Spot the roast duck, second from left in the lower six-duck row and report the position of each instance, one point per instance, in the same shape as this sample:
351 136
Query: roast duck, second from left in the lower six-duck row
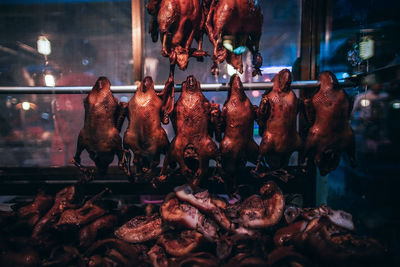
144 135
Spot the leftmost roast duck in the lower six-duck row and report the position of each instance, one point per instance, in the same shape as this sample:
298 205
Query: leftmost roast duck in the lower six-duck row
100 133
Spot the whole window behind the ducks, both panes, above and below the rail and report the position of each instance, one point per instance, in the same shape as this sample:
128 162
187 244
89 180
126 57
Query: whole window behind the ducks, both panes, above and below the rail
81 40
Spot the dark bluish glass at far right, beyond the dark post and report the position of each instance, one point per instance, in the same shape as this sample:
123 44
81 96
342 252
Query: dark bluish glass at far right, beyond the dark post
364 45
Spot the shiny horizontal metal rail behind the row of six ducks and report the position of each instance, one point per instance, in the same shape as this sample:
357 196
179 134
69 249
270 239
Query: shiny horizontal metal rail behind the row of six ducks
207 87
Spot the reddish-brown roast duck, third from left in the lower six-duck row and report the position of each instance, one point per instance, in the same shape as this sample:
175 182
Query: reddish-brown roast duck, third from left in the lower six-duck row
192 146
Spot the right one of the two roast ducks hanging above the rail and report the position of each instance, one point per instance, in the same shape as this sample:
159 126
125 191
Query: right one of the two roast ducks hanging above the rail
233 26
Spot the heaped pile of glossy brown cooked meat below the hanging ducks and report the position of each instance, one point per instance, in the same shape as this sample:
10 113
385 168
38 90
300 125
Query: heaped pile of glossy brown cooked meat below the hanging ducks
190 228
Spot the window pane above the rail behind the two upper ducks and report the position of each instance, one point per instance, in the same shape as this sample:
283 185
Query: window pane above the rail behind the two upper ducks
279 47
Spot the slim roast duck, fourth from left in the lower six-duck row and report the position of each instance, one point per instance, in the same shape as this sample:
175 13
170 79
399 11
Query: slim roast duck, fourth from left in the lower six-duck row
237 146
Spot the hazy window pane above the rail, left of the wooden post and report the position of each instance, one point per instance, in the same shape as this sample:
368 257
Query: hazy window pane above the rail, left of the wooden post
81 40
